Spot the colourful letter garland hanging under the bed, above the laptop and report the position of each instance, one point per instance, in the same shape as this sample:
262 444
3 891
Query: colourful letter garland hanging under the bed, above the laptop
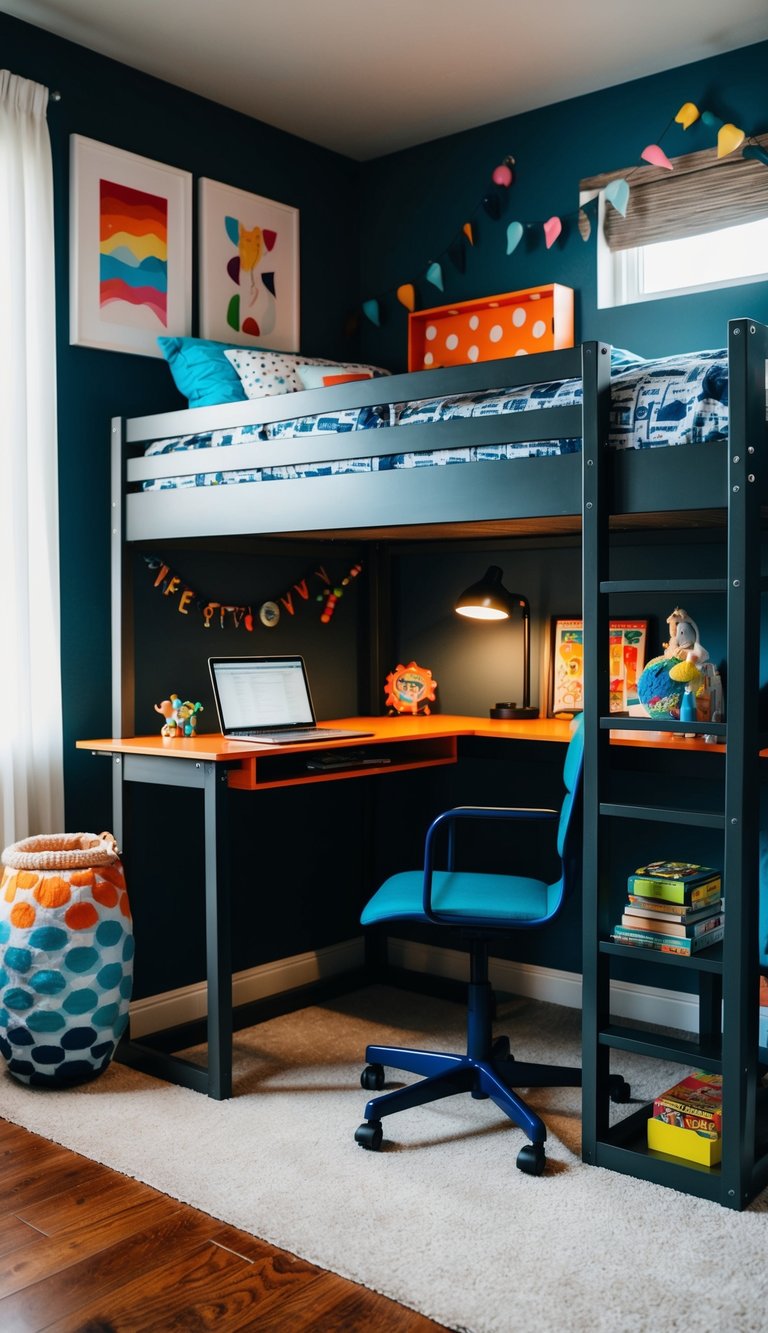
226 615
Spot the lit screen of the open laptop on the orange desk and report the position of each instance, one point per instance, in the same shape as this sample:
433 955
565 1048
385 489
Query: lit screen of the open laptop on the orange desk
262 692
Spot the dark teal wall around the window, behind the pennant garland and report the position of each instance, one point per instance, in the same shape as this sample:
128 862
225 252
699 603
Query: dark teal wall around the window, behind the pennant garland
415 202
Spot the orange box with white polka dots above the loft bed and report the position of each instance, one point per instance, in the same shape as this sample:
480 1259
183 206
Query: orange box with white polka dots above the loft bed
538 319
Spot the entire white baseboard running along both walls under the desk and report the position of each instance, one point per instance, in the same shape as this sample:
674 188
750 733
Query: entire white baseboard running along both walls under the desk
649 1004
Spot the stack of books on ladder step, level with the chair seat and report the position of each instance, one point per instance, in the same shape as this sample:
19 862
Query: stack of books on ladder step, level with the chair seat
674 907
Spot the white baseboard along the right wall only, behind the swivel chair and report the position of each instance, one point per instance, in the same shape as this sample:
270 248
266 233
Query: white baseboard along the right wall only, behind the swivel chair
646 1004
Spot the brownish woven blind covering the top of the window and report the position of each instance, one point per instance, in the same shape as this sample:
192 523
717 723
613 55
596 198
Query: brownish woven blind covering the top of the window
703 194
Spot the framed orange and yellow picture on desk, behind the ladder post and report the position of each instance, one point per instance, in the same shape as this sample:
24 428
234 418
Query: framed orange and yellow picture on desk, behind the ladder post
627 643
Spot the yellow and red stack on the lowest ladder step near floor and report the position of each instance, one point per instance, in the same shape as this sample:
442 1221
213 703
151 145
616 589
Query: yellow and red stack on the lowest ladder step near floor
689 1119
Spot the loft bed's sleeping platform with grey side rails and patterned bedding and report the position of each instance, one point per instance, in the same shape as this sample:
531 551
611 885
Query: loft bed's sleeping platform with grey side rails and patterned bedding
378 458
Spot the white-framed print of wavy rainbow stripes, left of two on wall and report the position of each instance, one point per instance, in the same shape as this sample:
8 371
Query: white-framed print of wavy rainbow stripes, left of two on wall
130 250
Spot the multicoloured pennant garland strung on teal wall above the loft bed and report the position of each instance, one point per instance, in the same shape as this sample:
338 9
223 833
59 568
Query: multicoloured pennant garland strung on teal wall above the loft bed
617 194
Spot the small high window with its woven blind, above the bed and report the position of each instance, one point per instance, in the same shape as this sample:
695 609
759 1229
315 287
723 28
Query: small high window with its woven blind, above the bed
699 227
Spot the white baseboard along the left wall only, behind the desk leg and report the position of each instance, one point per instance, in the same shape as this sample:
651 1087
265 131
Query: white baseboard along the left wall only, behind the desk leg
187 1004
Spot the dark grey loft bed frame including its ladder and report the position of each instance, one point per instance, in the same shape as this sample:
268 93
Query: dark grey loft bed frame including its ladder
590 493
